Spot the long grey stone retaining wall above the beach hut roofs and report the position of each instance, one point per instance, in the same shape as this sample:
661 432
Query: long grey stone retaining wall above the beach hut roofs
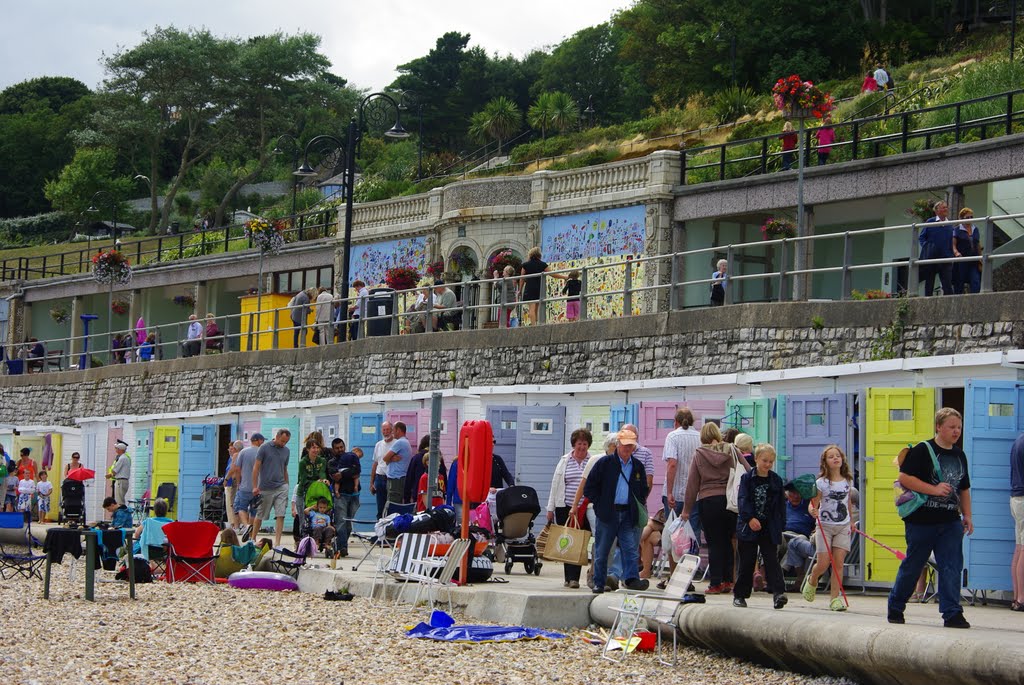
686 344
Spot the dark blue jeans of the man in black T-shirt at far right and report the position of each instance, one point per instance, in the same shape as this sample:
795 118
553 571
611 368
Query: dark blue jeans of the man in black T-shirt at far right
947 541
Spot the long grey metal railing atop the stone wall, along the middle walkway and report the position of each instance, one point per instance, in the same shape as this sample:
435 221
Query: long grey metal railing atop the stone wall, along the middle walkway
645 285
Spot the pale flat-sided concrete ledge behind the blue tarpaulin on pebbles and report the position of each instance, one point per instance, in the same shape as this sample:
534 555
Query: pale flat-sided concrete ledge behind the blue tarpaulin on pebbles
504 604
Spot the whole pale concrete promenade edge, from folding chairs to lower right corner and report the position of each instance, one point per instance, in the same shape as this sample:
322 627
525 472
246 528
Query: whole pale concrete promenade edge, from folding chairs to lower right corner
806 638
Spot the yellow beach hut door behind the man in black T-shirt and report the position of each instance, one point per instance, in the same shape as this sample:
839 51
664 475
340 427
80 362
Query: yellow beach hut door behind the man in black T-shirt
897 417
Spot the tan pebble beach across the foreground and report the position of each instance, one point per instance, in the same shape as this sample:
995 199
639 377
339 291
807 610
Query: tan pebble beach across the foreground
201 635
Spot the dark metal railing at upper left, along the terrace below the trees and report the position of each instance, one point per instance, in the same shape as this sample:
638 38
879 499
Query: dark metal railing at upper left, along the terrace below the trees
172 247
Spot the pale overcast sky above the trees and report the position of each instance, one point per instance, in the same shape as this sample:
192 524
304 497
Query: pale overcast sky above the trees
69 37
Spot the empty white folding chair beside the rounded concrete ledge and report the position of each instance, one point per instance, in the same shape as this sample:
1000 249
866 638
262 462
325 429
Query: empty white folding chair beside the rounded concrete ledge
656 608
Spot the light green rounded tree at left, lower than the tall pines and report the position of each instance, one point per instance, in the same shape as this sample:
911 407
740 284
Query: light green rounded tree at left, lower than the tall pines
92 170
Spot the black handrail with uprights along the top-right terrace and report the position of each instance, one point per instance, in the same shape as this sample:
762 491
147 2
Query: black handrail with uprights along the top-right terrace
860 145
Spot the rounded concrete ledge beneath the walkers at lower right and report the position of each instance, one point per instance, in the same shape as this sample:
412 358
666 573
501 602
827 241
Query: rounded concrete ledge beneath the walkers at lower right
808 638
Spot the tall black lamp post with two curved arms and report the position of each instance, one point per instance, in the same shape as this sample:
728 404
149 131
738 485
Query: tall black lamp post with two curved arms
357 125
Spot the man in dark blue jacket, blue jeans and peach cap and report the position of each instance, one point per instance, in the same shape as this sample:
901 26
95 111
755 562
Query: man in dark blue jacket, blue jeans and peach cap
618 487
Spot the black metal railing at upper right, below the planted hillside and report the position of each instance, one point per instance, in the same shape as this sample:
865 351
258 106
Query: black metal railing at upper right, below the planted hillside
859 139
